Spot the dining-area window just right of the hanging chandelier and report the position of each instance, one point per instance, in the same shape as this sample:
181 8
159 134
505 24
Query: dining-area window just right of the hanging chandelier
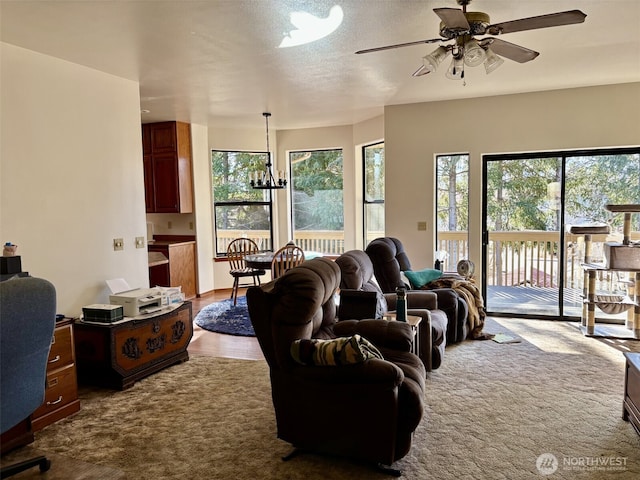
317 200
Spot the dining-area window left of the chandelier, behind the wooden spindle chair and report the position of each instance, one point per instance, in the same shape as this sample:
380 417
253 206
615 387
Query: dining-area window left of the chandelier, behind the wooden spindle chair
239 210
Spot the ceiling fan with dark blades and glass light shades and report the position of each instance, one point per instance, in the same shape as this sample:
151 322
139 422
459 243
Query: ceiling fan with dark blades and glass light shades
461 27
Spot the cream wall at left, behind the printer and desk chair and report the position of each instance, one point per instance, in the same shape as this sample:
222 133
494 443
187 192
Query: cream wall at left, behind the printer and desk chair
71 175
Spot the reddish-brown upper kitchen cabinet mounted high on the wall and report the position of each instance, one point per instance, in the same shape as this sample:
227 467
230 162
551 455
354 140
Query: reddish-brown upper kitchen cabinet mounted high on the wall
166 148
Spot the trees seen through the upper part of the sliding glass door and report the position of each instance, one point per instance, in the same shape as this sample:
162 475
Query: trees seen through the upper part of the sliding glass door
524 194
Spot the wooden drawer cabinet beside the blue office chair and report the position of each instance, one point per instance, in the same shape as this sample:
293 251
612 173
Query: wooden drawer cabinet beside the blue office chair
61 393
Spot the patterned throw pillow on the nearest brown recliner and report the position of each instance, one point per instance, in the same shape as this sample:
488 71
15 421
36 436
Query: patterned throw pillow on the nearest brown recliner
335 352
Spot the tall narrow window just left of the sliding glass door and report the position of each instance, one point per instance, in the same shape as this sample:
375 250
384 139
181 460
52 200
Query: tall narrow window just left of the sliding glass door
452 203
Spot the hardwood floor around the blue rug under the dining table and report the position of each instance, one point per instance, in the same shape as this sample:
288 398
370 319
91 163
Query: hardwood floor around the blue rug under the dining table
219 345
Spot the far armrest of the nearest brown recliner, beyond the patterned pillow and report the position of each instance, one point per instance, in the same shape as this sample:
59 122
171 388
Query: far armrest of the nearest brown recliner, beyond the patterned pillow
382 333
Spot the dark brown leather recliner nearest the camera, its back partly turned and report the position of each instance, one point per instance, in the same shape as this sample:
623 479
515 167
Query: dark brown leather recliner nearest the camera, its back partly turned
366 411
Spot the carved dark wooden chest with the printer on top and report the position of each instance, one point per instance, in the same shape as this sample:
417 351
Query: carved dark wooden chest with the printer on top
117 355
